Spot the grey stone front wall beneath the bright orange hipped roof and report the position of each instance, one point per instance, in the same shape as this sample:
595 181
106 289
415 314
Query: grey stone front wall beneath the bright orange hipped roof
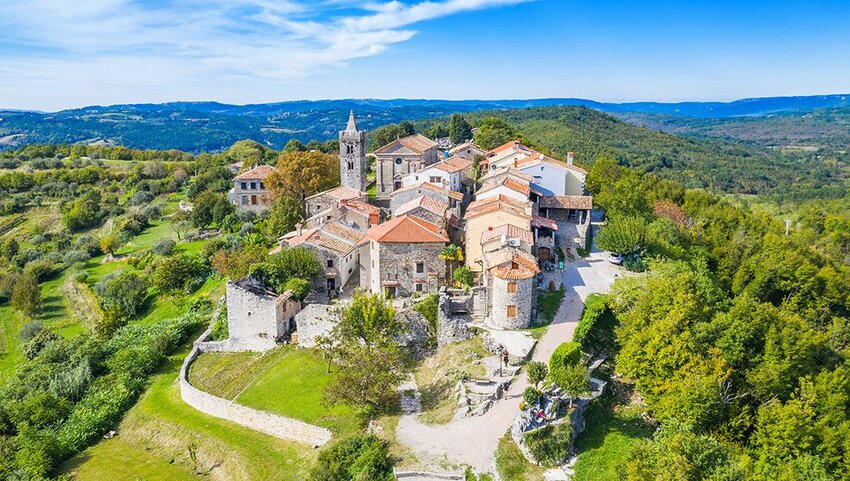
397 263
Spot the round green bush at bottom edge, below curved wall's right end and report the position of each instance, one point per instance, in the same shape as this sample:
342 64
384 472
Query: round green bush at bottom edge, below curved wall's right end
359 458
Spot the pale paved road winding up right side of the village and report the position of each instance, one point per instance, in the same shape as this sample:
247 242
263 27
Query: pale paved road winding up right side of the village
473 441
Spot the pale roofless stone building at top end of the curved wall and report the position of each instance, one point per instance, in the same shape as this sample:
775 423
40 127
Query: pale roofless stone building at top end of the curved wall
257 315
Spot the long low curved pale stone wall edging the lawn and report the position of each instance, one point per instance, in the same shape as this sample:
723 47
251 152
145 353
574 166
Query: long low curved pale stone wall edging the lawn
262 421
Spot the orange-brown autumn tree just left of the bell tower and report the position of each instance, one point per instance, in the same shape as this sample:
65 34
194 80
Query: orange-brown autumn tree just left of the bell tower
301 174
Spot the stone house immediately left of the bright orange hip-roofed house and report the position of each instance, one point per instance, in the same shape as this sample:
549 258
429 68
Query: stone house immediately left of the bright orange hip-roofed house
335 246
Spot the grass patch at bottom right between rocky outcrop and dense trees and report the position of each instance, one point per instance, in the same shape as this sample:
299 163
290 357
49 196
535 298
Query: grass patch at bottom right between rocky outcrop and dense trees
612 431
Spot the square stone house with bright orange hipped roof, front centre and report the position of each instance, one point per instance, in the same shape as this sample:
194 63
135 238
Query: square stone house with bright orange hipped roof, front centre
401 257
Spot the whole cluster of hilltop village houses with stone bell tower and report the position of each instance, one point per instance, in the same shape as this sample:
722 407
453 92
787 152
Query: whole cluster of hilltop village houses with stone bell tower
514 216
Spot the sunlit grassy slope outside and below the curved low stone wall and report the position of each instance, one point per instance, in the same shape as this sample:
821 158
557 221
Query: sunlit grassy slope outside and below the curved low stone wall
163 438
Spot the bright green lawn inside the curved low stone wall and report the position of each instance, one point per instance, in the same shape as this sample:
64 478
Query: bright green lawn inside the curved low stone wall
292 386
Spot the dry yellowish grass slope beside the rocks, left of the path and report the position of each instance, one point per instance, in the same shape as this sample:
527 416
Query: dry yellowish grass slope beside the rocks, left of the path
438 374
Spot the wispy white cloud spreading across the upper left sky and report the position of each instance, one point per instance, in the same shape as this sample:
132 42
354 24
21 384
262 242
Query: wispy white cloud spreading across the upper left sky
49 42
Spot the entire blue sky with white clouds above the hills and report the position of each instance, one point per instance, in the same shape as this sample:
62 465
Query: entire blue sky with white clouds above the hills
58 54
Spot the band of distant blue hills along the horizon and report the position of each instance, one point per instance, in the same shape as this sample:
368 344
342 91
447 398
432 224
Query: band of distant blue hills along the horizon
212 126
